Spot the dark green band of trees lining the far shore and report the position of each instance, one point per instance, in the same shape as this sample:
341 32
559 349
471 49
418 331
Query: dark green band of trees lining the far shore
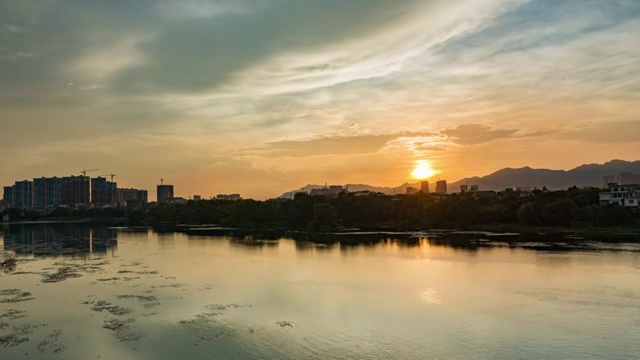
541 211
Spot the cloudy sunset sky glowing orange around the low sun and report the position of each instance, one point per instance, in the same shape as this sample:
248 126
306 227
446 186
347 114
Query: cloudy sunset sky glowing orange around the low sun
259 97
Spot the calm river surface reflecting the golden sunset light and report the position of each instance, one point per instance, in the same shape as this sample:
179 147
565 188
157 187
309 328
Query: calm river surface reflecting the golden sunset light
83 293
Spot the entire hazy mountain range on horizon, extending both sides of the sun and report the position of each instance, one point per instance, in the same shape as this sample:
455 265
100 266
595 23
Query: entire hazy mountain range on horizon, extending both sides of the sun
583 175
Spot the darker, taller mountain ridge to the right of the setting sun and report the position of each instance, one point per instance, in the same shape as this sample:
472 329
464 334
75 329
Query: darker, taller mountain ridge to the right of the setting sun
584 175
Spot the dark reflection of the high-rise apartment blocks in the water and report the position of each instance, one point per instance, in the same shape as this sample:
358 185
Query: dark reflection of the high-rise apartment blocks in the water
60 239
